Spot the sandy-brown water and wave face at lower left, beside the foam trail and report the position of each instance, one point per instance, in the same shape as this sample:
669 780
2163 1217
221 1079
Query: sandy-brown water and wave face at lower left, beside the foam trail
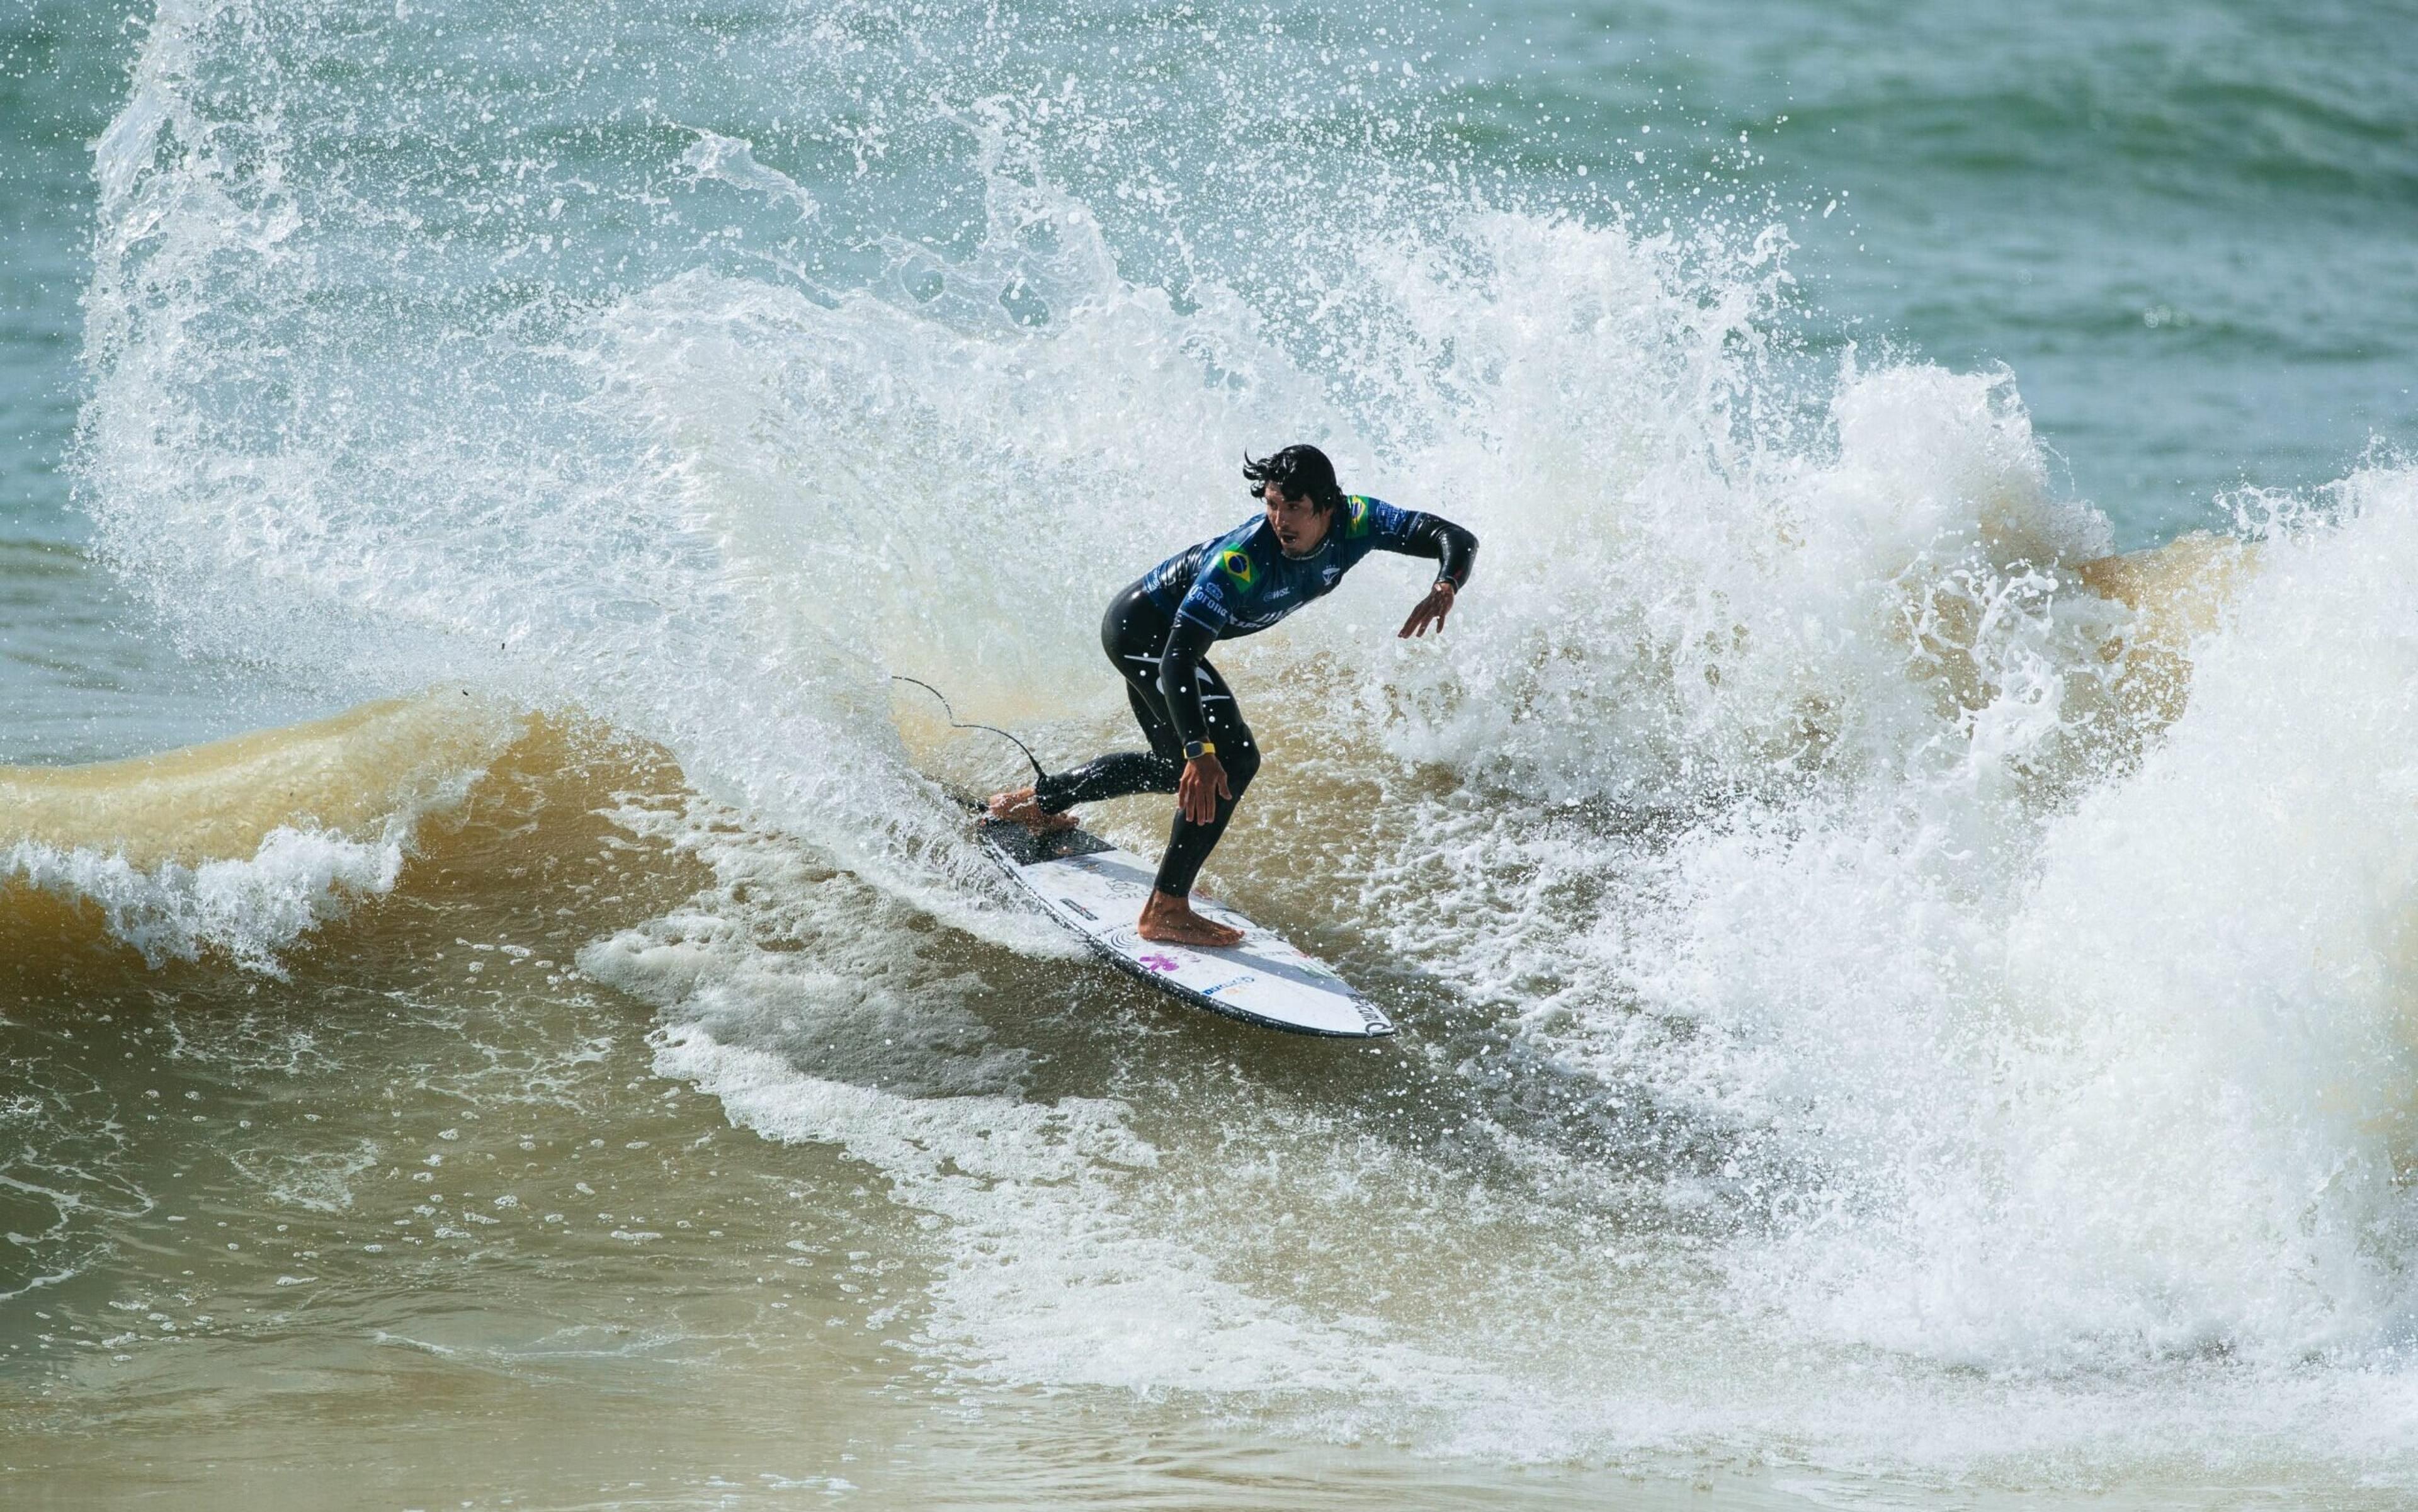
417 1223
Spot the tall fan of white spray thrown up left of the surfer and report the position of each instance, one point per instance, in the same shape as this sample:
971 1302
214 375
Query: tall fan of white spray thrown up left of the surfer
712 514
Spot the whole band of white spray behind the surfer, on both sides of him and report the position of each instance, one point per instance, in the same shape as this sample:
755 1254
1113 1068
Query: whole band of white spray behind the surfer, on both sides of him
722 509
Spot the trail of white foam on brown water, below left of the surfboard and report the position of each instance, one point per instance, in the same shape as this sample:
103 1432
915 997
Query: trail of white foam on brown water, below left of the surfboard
799 1000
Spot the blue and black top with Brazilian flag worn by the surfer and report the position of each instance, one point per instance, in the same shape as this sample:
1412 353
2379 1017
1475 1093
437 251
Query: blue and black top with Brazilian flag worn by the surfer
1242 582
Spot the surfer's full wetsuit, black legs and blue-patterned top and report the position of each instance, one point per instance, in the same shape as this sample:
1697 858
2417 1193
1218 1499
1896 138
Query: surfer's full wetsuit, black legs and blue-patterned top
1159 628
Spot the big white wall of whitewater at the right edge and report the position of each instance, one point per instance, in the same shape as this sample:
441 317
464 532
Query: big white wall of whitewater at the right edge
2124 1080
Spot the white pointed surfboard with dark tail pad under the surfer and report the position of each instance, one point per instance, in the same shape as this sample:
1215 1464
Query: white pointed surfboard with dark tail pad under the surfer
1097 891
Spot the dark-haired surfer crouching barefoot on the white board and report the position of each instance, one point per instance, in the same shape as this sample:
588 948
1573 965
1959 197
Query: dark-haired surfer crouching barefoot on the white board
1159 628
